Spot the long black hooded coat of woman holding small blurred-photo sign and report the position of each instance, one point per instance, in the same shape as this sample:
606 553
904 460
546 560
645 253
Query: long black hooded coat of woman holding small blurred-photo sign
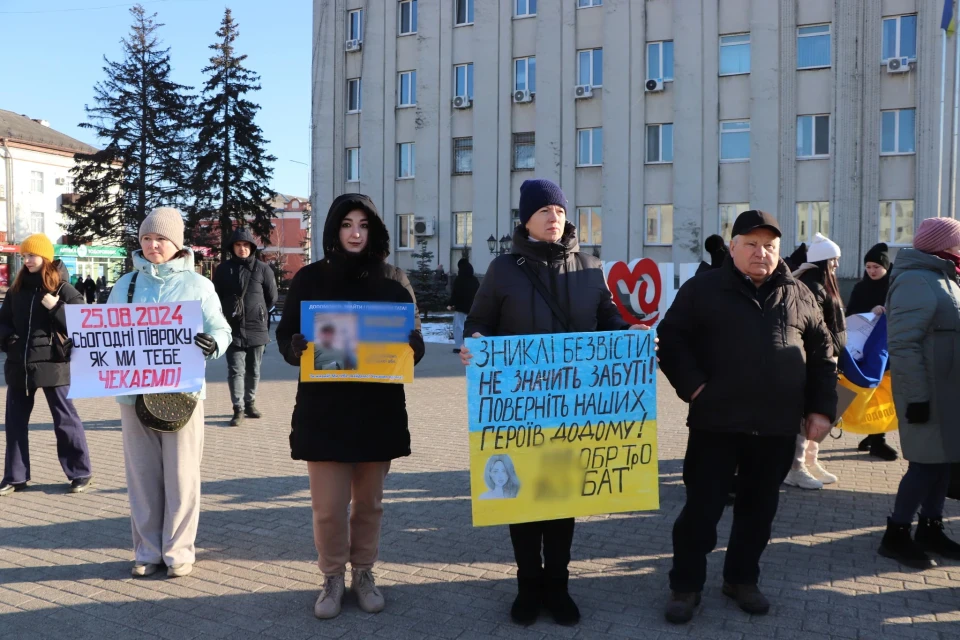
348 421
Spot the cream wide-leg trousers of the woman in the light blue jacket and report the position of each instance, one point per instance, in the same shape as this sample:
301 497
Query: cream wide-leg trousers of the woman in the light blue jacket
163 484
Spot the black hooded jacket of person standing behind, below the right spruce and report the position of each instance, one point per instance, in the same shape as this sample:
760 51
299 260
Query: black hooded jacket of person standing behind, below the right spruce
252 329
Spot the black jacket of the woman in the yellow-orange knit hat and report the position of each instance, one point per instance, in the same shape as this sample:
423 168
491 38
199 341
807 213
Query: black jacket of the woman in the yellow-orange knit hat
26 334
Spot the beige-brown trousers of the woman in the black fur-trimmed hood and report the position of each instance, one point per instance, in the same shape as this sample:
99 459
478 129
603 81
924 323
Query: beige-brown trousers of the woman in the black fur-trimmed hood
335 487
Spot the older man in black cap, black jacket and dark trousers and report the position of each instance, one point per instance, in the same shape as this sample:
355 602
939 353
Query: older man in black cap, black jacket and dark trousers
747 347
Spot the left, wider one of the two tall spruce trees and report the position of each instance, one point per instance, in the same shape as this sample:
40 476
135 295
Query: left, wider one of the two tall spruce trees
144 120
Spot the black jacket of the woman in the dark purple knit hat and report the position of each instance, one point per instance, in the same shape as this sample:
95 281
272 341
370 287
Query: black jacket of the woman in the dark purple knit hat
508 304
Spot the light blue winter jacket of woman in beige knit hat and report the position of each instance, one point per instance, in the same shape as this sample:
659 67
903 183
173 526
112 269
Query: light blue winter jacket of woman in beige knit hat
175 281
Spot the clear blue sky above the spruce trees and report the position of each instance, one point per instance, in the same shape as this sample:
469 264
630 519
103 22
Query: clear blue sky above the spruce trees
54 53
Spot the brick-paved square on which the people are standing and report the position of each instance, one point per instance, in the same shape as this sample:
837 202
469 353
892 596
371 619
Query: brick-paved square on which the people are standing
65 559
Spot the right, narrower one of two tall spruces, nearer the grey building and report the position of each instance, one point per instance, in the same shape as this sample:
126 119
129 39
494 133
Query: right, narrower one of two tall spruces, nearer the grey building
232 172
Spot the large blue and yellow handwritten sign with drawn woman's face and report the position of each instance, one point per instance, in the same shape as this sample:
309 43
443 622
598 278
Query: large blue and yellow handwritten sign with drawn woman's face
562 425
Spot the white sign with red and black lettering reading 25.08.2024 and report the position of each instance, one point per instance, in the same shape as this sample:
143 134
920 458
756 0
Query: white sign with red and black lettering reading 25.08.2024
128 349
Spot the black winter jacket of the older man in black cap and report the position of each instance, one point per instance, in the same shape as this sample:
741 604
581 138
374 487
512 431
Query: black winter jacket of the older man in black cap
764 354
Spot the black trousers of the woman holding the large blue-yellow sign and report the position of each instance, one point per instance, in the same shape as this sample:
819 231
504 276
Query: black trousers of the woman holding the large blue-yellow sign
554 538
